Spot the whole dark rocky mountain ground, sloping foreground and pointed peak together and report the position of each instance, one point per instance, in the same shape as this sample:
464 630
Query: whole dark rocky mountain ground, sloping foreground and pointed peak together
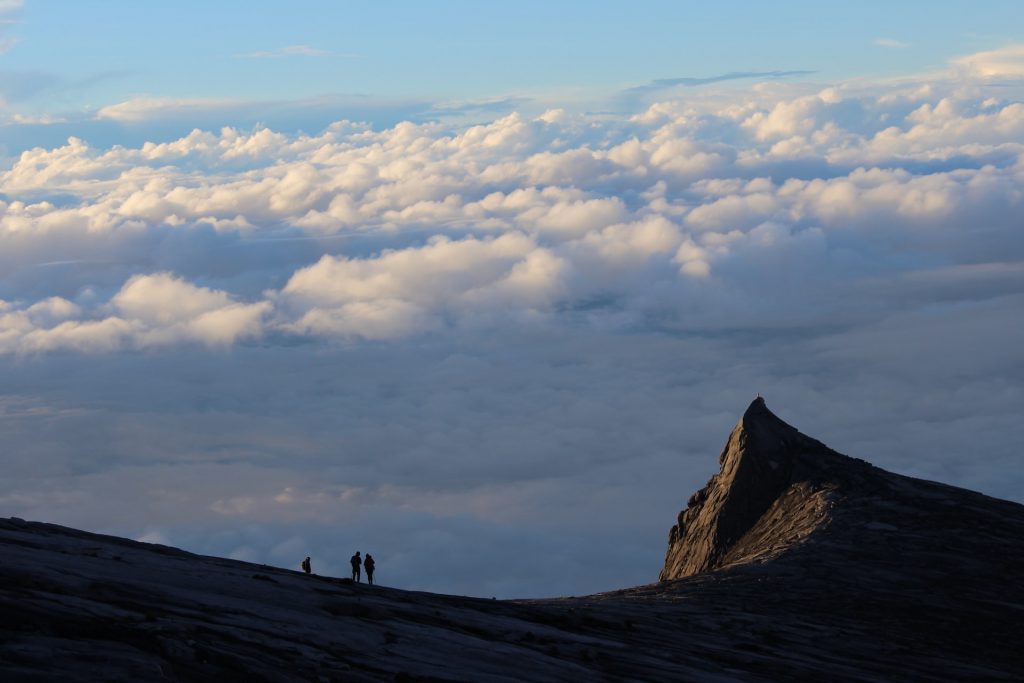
794 564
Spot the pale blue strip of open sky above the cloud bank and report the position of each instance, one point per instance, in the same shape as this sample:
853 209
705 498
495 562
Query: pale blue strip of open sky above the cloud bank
88 56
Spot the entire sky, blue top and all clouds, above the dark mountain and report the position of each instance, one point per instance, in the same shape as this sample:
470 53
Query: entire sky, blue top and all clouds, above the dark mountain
482 288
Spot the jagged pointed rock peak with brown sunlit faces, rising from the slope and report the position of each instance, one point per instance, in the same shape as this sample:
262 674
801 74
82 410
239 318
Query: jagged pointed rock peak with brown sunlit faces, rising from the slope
773 491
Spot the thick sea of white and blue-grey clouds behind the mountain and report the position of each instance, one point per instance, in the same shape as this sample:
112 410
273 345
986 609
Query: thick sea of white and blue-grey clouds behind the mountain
501 357
